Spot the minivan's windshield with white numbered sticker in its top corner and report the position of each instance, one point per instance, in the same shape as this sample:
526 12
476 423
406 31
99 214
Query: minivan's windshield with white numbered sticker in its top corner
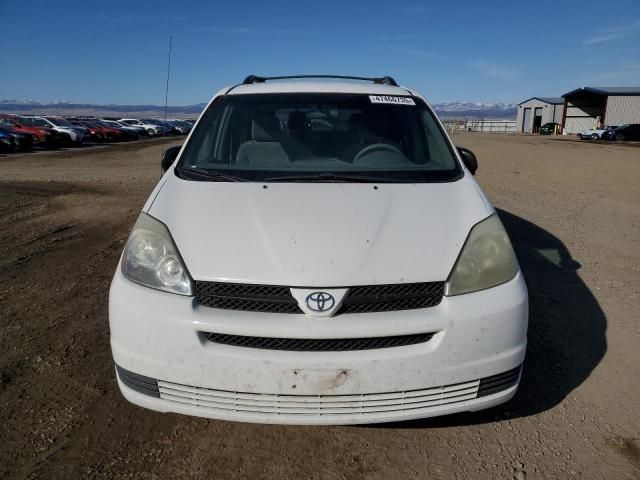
263 137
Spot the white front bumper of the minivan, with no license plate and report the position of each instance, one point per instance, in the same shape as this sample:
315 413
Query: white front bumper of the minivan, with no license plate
479 339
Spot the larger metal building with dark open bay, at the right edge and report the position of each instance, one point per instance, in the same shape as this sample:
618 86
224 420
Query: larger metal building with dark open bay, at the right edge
590 107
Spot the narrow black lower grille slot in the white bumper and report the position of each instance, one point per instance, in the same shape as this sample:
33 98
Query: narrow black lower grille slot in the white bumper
318 345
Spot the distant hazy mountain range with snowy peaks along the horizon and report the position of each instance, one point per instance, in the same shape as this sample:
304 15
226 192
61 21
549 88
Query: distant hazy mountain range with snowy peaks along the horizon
449 110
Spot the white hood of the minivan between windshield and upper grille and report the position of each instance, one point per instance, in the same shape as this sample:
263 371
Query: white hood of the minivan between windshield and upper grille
319 234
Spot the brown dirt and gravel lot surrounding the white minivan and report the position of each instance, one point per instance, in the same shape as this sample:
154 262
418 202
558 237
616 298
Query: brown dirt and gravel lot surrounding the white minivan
572 210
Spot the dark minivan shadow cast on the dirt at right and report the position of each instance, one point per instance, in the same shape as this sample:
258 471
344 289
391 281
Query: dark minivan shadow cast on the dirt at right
566 337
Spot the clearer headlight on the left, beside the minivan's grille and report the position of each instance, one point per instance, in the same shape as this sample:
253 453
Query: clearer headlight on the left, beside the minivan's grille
151 258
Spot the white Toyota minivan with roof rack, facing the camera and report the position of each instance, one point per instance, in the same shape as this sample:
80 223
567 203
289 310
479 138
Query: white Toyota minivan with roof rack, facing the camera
318 252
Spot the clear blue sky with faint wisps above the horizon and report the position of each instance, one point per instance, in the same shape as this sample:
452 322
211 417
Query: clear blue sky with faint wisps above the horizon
116 51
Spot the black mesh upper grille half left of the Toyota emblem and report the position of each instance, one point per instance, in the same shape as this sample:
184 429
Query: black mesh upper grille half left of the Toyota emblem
246 297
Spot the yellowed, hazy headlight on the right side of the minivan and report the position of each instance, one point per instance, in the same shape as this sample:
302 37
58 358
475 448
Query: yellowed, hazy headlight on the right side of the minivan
486 259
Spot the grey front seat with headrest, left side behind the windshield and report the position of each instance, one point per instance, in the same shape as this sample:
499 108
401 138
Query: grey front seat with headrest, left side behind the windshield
264 149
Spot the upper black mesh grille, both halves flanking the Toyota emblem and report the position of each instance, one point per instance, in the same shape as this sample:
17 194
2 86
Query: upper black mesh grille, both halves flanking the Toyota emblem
278 299
